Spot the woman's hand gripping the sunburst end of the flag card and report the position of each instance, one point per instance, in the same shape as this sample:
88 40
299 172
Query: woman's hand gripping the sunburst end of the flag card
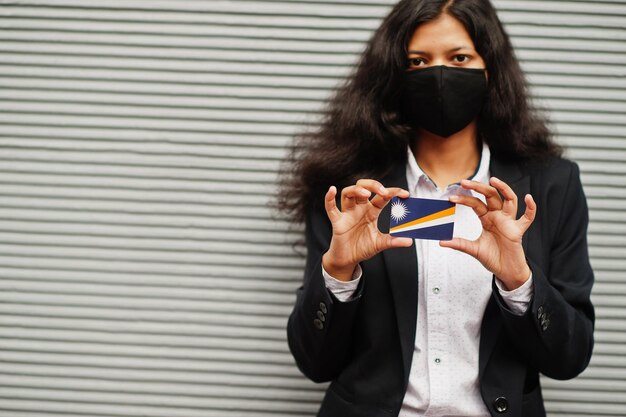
355 227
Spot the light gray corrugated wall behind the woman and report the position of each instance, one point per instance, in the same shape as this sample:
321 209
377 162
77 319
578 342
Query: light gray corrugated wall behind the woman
140 271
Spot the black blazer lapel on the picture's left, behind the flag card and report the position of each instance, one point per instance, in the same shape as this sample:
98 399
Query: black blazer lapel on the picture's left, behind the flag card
401 267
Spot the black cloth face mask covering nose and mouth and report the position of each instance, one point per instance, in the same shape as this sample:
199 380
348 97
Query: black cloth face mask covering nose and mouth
443 100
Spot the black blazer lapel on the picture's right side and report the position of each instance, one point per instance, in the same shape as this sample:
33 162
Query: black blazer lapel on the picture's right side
511 174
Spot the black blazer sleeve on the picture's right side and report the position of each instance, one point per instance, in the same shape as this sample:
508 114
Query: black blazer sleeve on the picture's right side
556 332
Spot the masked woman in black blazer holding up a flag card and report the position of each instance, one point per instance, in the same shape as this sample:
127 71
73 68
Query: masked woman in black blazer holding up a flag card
437 108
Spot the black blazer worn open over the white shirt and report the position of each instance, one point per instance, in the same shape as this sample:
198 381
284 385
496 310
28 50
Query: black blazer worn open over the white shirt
365 346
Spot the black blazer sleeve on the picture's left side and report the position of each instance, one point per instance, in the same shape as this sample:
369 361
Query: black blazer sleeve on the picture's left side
319 327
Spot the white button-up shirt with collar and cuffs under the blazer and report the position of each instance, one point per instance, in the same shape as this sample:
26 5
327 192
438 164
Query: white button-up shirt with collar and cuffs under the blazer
453 292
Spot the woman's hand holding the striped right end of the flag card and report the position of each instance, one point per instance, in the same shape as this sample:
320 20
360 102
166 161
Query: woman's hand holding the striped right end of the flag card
499 247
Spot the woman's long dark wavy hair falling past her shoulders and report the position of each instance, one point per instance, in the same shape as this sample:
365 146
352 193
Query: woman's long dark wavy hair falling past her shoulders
363 134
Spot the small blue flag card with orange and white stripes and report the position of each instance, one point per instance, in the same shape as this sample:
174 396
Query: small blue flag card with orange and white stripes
422 218
